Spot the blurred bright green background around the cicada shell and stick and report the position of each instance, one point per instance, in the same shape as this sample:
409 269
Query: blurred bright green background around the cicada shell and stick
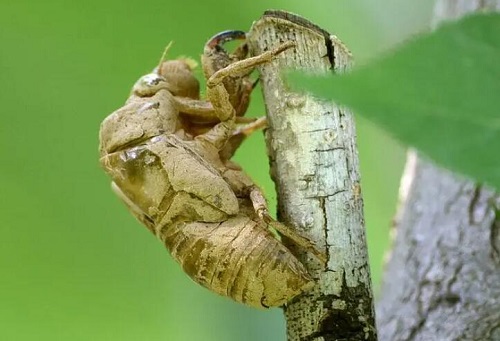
74 263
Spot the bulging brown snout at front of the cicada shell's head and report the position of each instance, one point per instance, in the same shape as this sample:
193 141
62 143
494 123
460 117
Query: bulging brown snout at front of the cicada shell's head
180 78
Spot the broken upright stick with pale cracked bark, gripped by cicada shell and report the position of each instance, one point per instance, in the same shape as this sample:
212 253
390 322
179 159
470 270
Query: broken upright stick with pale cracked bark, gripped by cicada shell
314 163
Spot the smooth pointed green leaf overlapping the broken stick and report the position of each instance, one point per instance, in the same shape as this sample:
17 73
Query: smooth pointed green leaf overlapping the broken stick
439 92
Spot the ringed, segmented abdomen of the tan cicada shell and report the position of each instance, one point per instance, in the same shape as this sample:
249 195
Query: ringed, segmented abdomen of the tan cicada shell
238 258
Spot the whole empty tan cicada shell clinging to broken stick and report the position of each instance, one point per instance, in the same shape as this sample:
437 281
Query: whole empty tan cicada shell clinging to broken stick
178 181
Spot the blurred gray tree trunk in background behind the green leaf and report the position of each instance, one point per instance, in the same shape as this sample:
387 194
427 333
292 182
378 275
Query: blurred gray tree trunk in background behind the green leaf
442 281
